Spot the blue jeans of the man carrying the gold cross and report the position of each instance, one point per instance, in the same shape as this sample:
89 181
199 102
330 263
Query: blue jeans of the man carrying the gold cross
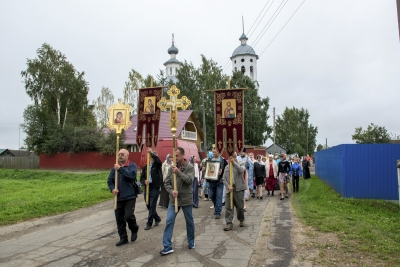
170 222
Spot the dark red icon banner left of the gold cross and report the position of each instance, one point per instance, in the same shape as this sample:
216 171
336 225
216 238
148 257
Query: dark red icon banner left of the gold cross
148 116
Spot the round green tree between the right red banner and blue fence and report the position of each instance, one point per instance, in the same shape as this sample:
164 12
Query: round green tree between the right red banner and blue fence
291 129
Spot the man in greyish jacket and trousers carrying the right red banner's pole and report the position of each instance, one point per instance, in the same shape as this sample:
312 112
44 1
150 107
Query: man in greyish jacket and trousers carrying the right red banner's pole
238 189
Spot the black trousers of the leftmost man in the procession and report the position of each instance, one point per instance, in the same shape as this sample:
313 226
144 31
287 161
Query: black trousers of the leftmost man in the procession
125 214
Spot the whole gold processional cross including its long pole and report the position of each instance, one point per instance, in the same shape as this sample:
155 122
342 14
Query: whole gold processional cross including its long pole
173 104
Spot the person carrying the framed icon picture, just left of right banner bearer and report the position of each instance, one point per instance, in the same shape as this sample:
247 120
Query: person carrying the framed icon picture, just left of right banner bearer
216 188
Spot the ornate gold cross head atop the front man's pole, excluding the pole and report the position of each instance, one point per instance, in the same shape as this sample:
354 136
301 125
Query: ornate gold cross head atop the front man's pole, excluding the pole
173 104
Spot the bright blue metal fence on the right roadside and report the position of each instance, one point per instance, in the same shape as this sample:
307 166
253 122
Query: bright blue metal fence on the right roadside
360 171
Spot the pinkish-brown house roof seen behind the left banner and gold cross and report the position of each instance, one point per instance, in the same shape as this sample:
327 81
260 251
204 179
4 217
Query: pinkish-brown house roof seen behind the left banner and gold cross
164 130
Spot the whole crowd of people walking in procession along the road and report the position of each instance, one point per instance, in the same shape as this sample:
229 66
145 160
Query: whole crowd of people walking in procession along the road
250 176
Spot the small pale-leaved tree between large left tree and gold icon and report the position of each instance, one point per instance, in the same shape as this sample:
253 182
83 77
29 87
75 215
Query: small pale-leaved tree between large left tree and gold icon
101 105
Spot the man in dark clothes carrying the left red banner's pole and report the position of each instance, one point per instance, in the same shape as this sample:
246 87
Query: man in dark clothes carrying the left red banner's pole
154 184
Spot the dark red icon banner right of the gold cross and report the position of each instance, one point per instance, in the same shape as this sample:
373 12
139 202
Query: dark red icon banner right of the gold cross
229 127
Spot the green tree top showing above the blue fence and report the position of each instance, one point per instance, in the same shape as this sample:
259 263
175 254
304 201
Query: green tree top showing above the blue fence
374 134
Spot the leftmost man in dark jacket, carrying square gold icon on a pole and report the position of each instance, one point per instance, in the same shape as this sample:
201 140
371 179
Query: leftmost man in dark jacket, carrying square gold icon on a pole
126 196
